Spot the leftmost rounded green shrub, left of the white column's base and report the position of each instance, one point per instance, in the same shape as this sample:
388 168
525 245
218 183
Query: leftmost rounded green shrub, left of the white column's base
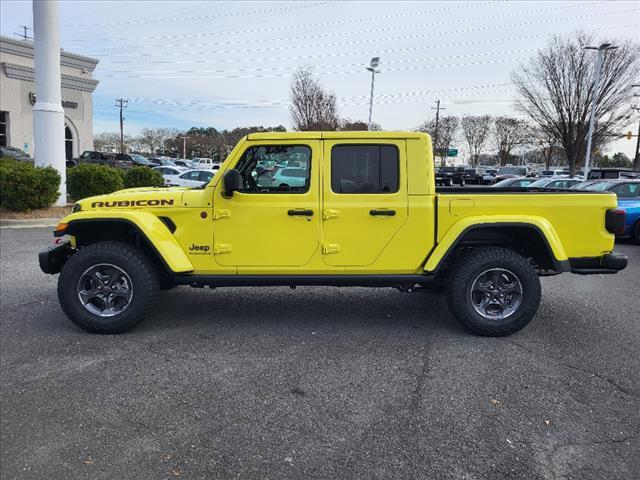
25 187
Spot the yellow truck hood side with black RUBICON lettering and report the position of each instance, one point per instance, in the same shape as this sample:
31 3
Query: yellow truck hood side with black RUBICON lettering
142 197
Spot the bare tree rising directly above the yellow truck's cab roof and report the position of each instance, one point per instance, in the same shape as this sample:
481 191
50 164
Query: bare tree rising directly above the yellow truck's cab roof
312 108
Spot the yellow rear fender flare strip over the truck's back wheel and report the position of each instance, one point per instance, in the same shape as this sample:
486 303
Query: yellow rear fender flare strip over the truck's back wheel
458 229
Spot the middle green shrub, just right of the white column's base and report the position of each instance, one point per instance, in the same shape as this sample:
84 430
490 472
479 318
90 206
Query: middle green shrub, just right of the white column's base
87 180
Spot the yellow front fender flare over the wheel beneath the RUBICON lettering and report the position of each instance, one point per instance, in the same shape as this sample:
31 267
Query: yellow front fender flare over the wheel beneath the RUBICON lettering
148 225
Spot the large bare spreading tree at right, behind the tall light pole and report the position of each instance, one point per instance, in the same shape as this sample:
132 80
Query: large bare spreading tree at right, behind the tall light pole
556 92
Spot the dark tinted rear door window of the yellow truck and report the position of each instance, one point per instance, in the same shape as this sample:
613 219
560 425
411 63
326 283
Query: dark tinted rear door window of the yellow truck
365 169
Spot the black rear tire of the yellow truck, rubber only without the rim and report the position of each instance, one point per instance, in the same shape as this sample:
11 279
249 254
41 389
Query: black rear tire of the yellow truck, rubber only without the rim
465 271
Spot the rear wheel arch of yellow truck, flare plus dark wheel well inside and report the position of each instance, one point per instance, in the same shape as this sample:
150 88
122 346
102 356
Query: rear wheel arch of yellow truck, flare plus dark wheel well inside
532 239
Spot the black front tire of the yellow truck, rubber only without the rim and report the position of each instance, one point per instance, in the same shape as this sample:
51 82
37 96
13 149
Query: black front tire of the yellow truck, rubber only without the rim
138 267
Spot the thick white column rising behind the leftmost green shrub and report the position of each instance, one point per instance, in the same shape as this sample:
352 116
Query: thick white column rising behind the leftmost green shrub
48 114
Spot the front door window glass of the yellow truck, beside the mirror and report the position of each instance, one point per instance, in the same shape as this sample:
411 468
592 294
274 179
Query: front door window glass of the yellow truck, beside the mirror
275 168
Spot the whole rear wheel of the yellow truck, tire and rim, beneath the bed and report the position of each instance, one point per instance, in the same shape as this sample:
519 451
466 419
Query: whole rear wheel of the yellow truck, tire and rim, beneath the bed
493 291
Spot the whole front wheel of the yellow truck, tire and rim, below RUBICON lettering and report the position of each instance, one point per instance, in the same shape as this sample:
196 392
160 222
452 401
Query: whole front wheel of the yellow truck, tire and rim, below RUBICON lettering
107 287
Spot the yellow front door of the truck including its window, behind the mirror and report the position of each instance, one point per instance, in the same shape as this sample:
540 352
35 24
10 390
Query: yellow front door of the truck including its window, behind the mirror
274 220
